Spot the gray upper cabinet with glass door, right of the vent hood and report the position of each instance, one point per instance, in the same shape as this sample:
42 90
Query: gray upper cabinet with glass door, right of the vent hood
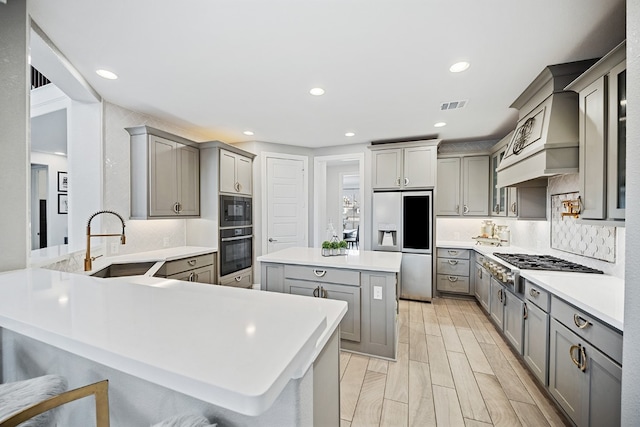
602 129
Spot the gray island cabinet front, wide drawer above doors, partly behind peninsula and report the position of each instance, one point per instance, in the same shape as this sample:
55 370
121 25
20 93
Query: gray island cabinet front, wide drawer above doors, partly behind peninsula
350 325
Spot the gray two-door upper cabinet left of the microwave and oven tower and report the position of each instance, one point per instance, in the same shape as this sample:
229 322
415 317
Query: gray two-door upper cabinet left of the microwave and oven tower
165 175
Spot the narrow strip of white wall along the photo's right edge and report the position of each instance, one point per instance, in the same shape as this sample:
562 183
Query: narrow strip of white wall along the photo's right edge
631 355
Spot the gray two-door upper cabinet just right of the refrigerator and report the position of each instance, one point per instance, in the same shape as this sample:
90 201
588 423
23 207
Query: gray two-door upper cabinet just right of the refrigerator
463 186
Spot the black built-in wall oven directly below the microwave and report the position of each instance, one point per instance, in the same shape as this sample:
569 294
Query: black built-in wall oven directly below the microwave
236 249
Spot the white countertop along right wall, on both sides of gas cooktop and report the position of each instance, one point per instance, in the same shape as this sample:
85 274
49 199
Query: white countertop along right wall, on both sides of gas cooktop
600 295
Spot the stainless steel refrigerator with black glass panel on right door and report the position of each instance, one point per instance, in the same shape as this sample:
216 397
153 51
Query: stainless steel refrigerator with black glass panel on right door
403 222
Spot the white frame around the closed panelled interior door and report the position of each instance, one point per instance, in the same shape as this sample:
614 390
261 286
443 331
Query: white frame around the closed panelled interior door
305 194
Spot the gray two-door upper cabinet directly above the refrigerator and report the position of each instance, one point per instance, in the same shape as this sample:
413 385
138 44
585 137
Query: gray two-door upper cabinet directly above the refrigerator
411 166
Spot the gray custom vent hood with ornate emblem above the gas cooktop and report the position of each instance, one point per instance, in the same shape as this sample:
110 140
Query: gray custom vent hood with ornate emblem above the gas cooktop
545 141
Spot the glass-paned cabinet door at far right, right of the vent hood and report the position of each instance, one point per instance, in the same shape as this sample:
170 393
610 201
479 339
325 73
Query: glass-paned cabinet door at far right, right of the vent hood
617 141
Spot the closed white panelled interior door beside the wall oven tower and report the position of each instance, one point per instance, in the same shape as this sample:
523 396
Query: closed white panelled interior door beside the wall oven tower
286 204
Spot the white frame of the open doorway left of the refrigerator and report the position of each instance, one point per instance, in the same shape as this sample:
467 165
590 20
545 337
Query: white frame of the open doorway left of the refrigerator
320 193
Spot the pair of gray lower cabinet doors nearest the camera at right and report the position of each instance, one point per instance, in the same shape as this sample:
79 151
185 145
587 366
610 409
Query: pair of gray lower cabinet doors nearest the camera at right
584 382
